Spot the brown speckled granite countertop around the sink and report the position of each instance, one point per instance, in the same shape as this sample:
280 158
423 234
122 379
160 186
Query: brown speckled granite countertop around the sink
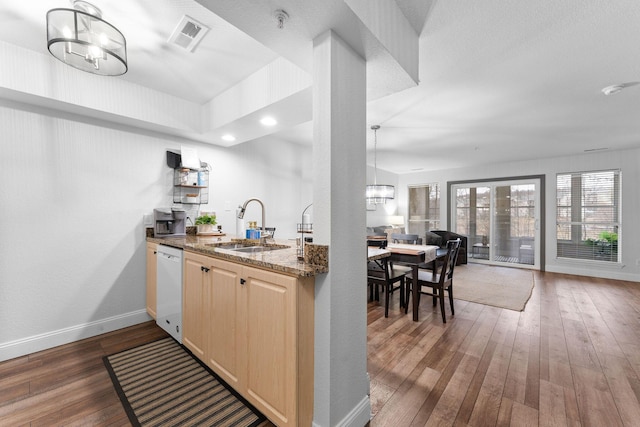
280 260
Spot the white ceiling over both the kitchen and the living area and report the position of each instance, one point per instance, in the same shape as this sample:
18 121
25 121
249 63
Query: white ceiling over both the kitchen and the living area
498 81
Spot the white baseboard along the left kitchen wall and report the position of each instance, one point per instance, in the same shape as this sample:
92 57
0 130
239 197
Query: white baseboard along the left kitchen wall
32 344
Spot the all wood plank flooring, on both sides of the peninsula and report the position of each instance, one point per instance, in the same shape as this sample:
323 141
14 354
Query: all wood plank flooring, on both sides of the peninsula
571 358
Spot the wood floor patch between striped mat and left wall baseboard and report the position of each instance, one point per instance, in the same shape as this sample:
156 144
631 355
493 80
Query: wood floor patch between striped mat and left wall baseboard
68 385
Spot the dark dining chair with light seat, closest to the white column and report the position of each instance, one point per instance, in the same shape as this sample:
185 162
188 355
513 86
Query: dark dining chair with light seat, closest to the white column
382 273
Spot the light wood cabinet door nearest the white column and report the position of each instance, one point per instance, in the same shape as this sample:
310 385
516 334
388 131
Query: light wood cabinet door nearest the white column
270 312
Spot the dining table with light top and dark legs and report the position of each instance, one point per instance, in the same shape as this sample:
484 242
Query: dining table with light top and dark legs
410 255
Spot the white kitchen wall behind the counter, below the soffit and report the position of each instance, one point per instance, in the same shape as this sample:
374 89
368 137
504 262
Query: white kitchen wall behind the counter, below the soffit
72 199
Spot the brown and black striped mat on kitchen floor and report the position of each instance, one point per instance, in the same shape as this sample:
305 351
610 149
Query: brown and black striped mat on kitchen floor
162 384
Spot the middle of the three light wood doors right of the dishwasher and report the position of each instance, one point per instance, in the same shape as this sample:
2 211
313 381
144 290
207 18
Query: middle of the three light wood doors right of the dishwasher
226 351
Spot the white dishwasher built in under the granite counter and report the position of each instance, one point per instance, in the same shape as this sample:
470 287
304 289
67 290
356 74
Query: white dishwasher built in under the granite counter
169 282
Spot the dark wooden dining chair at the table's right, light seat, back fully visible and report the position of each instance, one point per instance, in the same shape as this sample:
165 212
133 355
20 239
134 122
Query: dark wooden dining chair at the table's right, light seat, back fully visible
439 283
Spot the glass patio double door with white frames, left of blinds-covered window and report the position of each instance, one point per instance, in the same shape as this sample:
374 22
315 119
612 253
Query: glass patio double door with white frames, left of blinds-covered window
501 220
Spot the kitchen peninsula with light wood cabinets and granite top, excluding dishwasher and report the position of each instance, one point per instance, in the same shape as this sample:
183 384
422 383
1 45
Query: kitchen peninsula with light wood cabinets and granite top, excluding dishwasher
249 316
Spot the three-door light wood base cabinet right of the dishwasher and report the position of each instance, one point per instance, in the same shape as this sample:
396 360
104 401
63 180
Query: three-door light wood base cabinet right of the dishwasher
258 333
